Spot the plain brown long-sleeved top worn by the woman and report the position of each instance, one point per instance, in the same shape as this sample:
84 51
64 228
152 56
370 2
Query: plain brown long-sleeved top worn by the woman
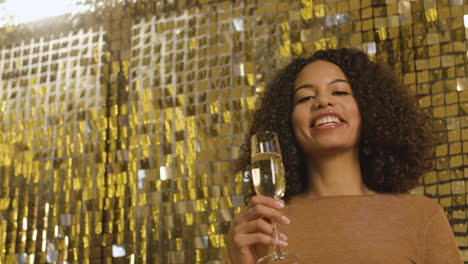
377 229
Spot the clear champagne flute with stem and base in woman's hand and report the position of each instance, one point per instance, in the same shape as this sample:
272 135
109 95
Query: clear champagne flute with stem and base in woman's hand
268 179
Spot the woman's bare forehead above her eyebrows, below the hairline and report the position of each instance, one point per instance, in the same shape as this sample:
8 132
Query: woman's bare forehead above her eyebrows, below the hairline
320 71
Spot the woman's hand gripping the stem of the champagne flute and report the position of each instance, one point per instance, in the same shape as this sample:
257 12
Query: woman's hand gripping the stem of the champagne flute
251 232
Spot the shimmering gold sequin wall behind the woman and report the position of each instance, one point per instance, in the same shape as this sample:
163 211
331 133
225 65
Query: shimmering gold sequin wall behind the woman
119 127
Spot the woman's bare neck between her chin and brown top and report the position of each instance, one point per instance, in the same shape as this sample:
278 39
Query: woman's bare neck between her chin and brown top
336 174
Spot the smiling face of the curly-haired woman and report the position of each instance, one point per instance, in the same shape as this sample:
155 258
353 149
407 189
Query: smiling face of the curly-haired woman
325 116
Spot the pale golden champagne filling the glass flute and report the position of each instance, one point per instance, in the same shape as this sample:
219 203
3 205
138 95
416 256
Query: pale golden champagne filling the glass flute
268 174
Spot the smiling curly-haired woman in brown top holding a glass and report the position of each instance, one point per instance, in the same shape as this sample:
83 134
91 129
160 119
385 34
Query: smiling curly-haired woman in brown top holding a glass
354 142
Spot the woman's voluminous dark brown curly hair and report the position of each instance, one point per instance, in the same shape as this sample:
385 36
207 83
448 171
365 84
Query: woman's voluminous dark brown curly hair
396 138
